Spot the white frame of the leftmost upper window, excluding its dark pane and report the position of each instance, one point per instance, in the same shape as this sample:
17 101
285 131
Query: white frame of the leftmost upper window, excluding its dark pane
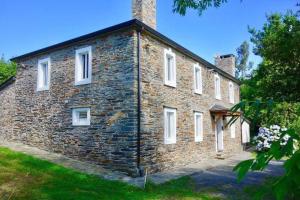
40 75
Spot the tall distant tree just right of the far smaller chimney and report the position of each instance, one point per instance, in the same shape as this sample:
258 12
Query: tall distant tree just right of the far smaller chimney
242 65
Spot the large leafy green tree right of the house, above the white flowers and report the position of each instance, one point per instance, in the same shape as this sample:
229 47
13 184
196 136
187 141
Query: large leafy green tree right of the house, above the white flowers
278 42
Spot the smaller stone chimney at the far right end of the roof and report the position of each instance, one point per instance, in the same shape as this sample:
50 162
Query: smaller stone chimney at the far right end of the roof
226 63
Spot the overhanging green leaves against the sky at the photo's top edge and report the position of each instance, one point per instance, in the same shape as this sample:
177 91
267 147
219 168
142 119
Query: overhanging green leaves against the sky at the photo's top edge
181 6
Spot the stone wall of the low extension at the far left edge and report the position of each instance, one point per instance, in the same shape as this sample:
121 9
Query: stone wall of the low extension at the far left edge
7 109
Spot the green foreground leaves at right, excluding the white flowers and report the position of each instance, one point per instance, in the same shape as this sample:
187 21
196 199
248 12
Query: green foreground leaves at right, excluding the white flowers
288 185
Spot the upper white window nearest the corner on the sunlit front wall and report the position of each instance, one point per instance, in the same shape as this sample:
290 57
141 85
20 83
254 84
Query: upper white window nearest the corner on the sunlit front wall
170 68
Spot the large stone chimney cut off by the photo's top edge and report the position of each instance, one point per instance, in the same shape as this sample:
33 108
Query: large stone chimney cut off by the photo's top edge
145 11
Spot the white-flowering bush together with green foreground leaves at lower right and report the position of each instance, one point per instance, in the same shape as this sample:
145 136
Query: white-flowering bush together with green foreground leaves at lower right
272 143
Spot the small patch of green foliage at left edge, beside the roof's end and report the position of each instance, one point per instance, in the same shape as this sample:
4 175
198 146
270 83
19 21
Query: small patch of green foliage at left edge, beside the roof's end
7 70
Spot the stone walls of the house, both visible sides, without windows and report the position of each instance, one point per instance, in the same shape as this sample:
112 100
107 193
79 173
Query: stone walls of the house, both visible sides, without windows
44 118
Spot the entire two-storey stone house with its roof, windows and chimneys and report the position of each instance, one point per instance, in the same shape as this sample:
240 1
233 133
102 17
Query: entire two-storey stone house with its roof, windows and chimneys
125 97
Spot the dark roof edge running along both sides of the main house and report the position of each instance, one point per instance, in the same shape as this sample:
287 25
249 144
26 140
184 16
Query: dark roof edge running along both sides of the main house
125 25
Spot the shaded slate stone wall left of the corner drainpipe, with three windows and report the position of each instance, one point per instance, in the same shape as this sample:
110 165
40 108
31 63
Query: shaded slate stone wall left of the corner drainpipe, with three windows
44 119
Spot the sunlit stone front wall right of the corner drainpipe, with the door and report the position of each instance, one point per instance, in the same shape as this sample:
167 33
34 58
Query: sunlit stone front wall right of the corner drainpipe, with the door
156 155
